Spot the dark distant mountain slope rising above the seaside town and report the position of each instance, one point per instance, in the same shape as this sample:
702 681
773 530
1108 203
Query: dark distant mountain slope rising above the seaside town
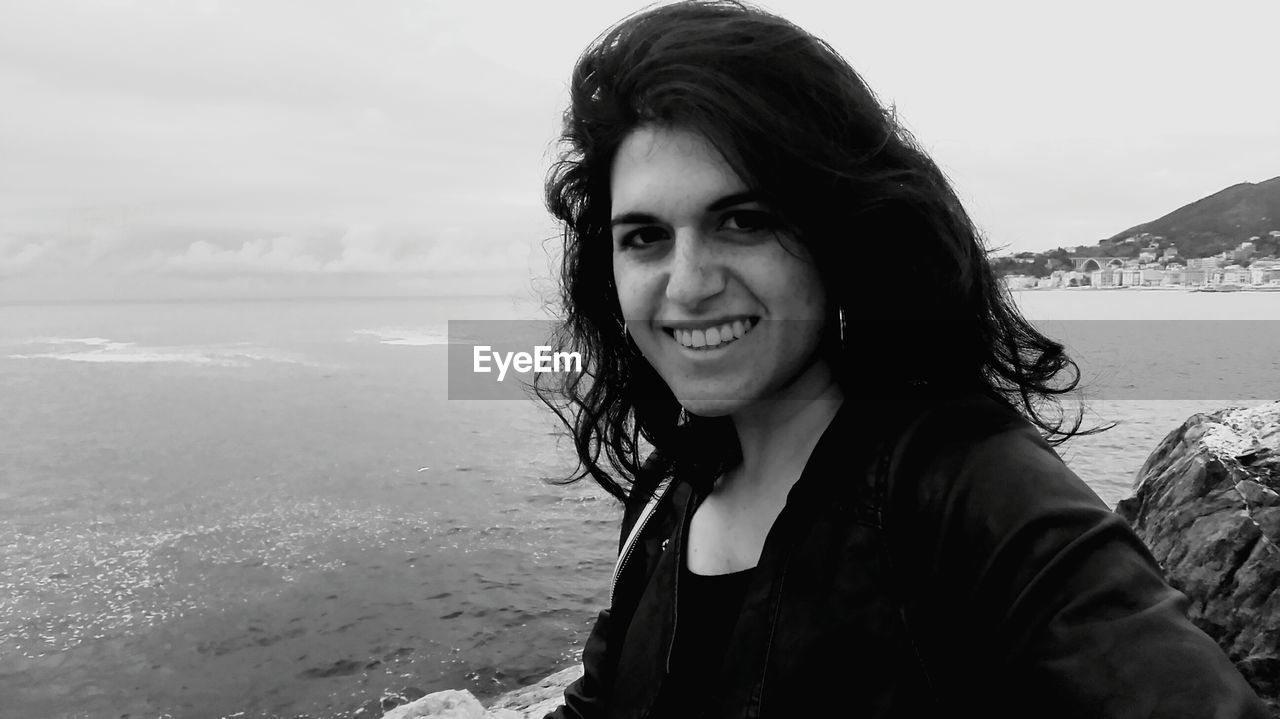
1219 222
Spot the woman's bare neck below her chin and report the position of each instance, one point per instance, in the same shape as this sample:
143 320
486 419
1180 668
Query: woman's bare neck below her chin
778 438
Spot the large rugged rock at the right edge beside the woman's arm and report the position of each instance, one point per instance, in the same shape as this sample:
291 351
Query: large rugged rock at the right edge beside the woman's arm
1208 505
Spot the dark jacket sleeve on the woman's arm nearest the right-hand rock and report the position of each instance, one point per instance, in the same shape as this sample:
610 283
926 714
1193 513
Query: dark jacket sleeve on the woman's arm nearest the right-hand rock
1066 607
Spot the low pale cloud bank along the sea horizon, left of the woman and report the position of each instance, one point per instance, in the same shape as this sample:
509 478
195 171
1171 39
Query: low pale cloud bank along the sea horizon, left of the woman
362 260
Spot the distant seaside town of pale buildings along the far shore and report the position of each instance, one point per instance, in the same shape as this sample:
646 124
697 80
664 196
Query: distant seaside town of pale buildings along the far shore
1156 267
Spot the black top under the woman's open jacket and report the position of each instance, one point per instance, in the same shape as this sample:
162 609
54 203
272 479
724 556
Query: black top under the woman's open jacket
707 613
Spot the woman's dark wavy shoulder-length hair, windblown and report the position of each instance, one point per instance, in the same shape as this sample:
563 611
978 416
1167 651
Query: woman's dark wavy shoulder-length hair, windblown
803 130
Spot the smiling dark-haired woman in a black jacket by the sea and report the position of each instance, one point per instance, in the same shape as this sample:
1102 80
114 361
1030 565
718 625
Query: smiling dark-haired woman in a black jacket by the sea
849 507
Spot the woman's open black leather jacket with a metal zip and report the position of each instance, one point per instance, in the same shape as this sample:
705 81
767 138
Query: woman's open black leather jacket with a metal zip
931 561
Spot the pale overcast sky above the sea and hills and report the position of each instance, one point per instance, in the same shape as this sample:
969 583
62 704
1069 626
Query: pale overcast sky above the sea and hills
260 148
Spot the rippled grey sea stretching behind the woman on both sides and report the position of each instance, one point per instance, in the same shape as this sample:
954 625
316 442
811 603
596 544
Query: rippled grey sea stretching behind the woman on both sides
273 509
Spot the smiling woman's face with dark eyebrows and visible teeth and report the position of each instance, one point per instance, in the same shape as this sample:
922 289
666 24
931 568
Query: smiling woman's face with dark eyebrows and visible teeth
726 308
